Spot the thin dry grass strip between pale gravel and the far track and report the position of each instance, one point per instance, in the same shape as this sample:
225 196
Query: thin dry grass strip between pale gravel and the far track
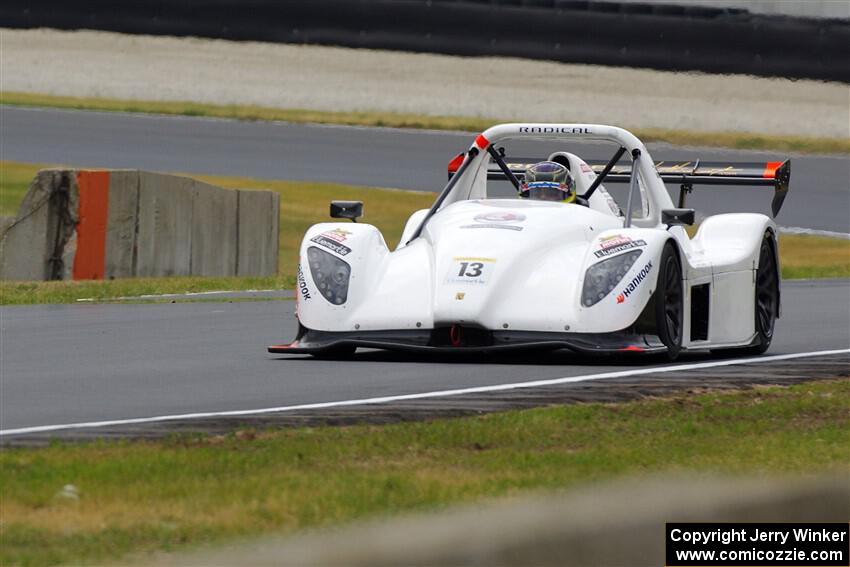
736 140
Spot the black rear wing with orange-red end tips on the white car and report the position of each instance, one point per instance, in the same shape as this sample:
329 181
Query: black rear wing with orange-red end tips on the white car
773 173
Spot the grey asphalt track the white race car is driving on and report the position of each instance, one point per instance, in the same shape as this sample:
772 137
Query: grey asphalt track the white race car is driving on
67 364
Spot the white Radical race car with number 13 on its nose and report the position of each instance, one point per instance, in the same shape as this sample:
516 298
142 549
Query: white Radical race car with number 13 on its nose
478 273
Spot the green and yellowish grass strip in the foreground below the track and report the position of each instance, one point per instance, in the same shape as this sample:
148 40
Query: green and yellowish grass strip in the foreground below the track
144 496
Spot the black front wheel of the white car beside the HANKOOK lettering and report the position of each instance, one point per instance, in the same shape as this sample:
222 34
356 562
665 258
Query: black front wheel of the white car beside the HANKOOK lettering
669 303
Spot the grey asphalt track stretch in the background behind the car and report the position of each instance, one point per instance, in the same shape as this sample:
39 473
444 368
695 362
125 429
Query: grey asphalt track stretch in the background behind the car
406 159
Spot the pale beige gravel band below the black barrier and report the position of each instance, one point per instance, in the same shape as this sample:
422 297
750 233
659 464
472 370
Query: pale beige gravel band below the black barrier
109 65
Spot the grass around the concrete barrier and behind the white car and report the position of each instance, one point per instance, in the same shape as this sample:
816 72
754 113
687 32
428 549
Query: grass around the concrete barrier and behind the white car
306 203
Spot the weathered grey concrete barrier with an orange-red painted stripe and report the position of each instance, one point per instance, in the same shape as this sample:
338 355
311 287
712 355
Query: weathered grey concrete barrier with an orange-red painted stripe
125 223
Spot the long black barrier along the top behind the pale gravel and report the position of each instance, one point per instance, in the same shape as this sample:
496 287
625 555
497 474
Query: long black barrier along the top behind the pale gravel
696 38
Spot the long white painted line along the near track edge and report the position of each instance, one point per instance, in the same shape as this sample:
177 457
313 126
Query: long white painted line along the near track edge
423 395
